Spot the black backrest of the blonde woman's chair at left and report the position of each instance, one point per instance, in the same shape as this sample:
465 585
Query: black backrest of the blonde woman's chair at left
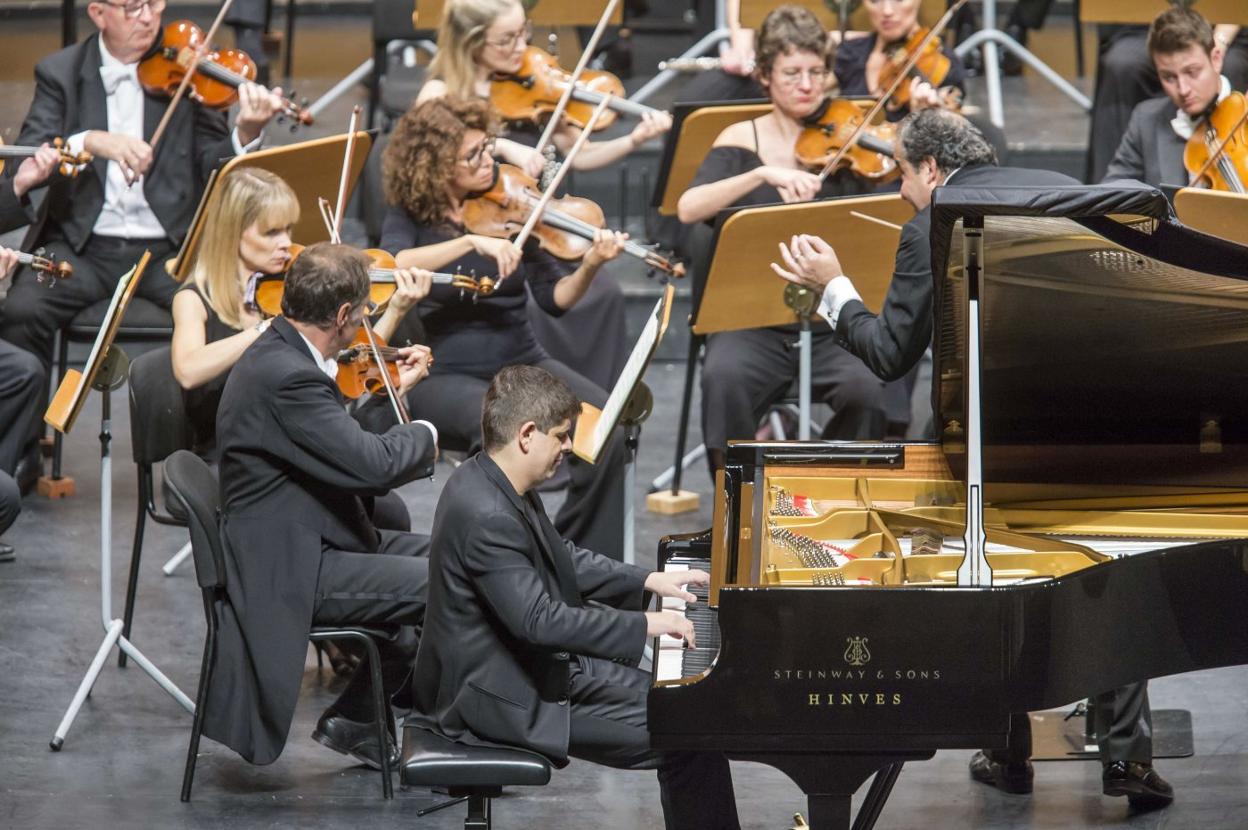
158 415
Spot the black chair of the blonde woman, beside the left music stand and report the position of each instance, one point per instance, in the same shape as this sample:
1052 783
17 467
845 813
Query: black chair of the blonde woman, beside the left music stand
158 430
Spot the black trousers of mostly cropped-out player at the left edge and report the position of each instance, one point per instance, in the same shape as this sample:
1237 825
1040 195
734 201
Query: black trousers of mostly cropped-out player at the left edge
23 384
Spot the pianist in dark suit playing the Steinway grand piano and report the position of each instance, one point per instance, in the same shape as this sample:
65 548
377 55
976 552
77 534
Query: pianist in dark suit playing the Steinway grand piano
534 642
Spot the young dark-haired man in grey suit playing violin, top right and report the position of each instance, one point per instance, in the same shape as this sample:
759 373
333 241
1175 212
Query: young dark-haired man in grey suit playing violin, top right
1190 67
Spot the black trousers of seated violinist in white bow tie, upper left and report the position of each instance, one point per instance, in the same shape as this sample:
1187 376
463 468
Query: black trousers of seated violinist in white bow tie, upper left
34 313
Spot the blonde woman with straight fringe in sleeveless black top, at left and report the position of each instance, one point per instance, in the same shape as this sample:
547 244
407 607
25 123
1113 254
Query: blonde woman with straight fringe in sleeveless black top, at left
248 233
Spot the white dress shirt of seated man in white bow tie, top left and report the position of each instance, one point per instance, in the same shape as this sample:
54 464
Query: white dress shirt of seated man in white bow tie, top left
127 213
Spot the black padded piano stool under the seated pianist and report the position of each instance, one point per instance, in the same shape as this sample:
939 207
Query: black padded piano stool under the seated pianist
474 774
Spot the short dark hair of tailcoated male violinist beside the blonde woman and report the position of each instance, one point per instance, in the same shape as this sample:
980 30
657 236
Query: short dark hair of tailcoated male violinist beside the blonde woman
321 280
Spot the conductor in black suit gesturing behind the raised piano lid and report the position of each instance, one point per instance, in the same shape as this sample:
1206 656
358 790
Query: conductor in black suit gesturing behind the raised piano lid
939 148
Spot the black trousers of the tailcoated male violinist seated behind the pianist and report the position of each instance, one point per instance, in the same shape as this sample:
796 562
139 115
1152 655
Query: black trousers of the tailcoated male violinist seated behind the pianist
386 591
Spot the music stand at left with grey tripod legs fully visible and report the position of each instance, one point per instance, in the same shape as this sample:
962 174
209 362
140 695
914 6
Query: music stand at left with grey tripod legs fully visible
105 371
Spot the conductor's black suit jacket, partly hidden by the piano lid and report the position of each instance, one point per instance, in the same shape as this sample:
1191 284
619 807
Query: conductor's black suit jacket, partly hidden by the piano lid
893 341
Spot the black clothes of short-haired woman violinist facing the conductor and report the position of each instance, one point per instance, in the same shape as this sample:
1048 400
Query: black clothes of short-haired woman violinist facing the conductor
746 373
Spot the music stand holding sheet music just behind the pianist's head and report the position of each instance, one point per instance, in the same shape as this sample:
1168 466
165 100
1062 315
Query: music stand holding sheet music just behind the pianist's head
628 406
